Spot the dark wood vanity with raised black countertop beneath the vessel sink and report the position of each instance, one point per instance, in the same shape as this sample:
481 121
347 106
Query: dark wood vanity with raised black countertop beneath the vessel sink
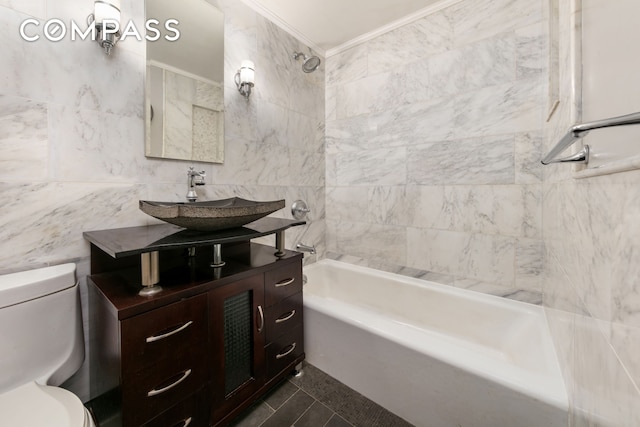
211 342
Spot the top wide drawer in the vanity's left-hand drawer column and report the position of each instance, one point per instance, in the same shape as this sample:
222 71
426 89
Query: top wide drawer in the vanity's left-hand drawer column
164 334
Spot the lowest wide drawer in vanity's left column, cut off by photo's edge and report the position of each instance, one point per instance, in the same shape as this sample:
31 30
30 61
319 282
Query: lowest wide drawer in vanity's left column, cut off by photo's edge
191 412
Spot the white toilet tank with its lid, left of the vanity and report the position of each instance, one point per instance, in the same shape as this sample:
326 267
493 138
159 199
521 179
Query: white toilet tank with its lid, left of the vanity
40 326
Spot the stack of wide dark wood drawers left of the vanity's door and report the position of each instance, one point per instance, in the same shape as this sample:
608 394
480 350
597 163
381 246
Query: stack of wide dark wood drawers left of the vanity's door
163 358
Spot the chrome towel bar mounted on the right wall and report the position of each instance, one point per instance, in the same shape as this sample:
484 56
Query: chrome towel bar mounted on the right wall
581 130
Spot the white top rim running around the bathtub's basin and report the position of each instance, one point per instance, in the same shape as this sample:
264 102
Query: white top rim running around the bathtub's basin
549 388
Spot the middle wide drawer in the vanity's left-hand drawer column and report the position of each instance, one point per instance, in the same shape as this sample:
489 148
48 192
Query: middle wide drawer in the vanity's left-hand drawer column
150 392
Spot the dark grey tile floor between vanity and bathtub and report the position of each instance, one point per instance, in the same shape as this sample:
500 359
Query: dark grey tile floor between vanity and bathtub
316 400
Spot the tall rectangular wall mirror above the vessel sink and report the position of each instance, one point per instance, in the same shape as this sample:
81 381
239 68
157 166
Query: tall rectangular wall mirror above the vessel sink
184 100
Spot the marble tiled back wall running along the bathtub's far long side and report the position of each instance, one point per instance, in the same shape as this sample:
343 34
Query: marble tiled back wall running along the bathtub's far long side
433 145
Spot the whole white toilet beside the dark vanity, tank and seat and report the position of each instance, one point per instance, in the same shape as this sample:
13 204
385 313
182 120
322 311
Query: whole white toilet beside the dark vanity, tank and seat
41 346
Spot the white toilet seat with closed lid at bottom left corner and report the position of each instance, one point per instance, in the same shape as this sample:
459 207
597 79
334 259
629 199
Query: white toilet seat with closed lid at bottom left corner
33 405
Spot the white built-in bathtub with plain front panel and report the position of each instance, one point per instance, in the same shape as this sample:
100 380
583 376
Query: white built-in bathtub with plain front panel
433 354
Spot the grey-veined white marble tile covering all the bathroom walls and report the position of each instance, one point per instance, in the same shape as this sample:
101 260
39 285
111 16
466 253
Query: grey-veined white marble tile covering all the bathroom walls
433 133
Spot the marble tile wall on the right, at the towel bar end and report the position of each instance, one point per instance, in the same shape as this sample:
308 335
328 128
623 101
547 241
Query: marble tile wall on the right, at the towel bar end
591 230
